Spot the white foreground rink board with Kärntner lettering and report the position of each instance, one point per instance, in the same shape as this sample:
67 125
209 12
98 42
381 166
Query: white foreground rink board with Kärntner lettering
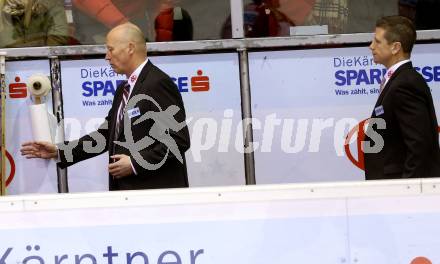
247 226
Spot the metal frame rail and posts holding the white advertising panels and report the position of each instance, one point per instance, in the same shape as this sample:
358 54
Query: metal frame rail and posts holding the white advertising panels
241 46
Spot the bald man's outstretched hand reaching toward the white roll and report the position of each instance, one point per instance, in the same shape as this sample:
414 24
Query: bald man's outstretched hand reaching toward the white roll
40 149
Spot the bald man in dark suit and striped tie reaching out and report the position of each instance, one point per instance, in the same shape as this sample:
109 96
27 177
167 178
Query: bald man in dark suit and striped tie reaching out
145 130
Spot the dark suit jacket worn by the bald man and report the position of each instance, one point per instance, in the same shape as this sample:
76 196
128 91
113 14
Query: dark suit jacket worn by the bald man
158 86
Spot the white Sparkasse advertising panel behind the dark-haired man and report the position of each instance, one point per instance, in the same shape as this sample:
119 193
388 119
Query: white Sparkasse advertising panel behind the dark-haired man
306 102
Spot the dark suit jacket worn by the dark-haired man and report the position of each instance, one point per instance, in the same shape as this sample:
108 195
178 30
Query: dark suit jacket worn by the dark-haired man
411 145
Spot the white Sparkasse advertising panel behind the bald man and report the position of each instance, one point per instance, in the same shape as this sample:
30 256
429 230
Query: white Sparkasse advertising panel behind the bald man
210 88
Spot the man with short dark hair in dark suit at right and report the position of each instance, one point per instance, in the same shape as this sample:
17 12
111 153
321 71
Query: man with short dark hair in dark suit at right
409 145
